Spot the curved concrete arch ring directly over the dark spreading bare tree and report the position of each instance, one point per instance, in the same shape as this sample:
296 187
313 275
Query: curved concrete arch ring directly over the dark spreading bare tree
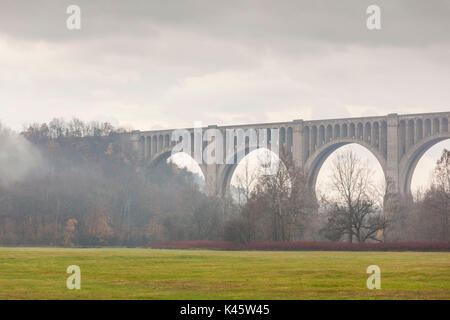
317 159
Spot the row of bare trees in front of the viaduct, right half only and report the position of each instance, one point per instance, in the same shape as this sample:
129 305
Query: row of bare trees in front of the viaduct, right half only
281 207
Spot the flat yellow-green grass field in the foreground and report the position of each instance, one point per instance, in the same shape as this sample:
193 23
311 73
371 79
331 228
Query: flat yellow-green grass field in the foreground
40 273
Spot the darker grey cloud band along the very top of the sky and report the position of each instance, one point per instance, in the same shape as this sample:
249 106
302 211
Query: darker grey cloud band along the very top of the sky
284 24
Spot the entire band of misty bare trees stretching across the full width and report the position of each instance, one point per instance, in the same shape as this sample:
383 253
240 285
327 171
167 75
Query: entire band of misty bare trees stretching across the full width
70 183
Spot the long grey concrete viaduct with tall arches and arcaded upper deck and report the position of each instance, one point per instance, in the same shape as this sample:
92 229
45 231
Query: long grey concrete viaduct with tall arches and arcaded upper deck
397 140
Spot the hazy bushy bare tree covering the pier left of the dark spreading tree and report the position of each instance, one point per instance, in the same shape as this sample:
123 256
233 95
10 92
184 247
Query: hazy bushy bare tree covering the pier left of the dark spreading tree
280 206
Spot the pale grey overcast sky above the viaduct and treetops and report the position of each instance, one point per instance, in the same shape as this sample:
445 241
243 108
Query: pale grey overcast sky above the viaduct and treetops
165 64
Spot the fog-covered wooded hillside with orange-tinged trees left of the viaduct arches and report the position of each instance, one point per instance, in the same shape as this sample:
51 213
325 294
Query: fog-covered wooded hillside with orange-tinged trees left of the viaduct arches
87 191
